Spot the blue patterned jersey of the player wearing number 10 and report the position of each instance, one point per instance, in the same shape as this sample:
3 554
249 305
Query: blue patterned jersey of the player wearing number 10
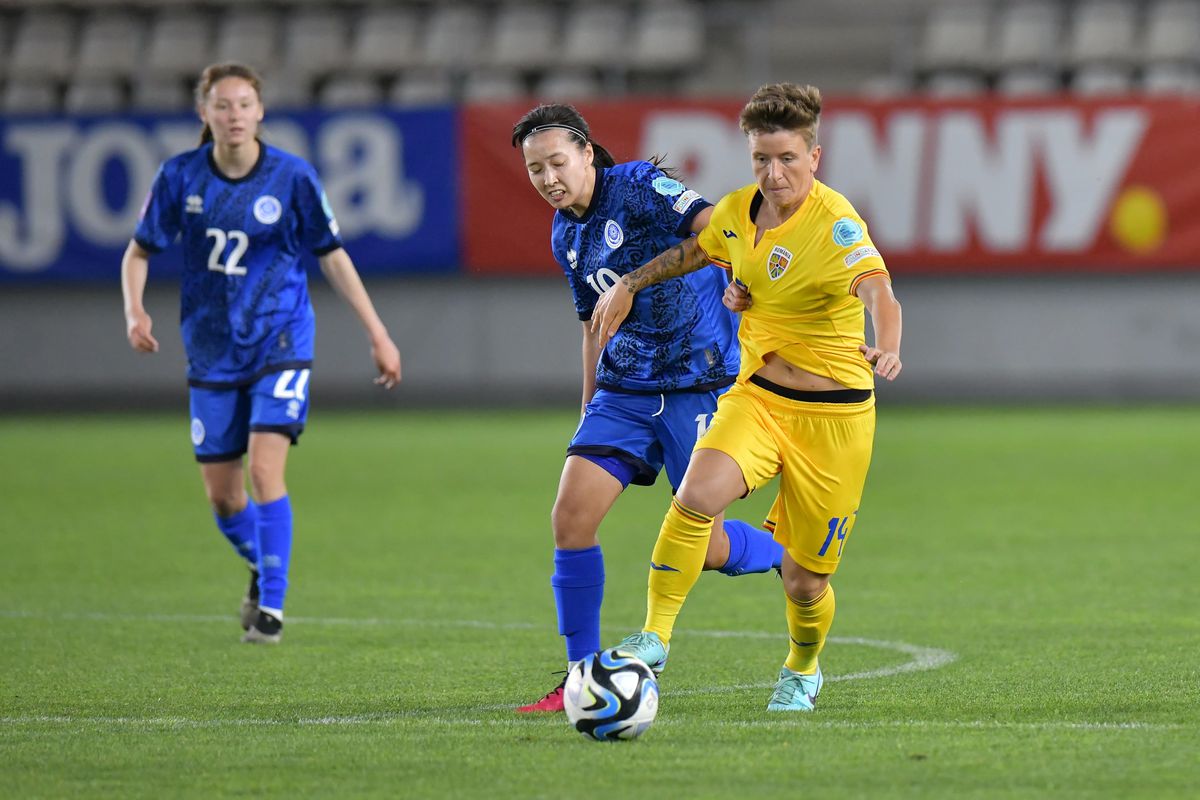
679 336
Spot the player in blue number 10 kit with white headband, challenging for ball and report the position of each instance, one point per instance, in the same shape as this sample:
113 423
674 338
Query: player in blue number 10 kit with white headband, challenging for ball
653 389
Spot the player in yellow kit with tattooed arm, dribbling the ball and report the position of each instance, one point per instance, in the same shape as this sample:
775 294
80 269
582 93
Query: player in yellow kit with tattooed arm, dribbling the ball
803 405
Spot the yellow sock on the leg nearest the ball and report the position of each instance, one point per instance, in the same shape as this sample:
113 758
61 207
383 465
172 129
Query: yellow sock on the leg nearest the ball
677 563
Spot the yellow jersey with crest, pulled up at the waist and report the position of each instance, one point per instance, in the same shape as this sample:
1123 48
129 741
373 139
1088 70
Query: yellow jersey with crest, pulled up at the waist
803 278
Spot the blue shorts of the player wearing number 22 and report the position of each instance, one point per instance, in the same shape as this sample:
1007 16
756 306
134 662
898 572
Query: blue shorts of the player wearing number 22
223 419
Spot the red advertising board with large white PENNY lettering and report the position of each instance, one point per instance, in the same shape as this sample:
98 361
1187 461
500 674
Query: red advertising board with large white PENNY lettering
947 188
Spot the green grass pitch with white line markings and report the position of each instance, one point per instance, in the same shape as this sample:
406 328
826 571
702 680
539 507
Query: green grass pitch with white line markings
1018 616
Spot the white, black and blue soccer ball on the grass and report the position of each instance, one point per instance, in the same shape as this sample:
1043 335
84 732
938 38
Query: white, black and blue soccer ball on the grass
611 695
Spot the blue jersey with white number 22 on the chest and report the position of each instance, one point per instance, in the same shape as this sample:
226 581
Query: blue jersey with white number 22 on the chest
245 309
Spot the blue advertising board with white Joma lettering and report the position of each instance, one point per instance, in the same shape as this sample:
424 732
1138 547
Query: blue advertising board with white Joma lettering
71 188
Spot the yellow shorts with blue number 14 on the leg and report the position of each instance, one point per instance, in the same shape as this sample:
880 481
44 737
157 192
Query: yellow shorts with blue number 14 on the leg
821 453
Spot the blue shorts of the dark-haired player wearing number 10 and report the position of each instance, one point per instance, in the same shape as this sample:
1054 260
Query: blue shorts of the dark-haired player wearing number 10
644 432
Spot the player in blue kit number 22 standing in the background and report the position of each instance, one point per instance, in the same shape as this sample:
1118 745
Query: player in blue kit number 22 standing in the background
245 213
